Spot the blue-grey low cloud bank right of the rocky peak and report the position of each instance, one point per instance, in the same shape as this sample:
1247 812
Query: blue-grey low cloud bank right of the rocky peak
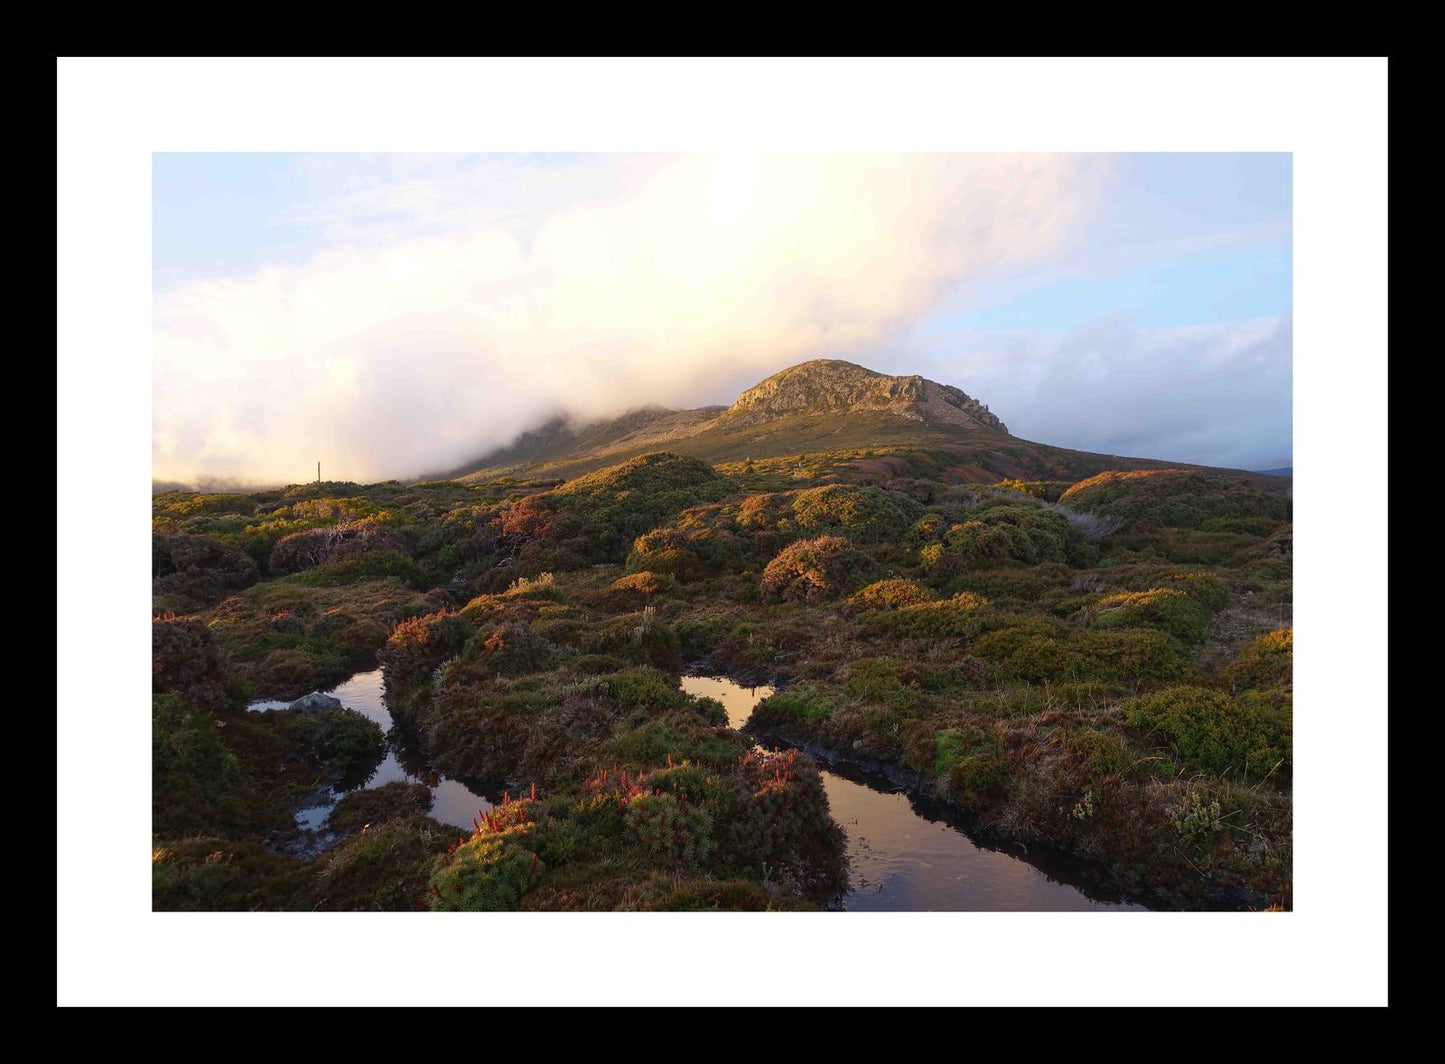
1215 395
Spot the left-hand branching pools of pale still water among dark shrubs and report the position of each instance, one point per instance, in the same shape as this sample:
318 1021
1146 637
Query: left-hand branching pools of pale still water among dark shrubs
453 802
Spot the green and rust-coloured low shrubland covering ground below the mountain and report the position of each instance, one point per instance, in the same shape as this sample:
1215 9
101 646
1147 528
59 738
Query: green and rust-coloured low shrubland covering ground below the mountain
1100 667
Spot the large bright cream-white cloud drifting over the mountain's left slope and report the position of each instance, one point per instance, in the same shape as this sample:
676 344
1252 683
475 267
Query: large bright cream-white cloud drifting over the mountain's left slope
450 313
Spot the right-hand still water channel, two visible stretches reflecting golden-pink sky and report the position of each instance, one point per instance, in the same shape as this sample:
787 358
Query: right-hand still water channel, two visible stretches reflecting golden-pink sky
910 854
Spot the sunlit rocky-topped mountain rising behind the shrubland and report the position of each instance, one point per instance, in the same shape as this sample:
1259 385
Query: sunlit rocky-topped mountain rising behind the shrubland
823 408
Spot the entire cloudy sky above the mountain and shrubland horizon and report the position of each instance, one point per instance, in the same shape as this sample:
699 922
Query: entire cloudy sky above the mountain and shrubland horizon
392 316
